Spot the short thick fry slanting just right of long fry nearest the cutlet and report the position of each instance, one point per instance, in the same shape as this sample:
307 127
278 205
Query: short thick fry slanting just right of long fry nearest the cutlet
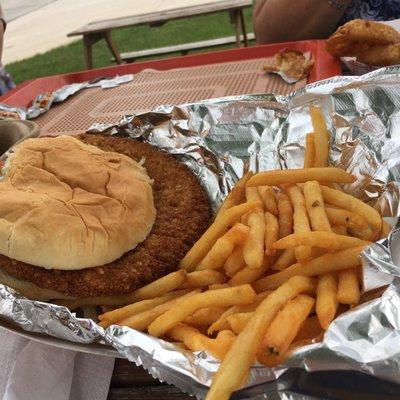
223 247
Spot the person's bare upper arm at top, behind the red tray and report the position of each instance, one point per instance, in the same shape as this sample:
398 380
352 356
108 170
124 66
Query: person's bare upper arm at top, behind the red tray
286 20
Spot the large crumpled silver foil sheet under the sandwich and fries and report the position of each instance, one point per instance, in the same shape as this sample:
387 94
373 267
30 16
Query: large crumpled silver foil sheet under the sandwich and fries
219 140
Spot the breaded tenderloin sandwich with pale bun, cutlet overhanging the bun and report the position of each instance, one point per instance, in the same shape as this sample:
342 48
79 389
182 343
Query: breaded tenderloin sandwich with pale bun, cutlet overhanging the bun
93 219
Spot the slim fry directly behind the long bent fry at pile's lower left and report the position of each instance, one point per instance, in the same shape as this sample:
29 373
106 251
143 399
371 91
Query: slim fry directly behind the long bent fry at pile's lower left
142 320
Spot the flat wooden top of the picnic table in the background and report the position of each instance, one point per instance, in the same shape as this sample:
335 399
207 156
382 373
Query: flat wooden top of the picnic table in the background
163 16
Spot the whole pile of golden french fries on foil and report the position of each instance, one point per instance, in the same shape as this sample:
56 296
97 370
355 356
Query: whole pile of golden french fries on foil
278 264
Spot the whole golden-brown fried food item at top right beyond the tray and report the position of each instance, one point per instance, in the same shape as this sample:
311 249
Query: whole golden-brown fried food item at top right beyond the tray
372 43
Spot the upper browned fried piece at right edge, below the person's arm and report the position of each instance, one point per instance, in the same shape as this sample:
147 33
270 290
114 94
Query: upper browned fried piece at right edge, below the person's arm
357 36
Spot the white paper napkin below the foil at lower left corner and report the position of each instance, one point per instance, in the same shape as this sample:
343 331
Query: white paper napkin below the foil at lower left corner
36 371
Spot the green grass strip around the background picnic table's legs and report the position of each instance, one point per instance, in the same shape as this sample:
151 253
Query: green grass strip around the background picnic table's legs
69 58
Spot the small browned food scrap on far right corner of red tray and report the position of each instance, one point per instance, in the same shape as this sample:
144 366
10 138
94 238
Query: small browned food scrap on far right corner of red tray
292 63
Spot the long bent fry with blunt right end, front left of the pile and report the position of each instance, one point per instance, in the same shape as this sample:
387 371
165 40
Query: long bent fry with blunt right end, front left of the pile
223 297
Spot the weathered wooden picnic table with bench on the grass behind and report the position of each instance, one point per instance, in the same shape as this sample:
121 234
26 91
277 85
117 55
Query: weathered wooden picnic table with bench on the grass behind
99 30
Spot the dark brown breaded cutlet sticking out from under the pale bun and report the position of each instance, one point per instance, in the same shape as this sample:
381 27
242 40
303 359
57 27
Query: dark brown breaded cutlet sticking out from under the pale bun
183 214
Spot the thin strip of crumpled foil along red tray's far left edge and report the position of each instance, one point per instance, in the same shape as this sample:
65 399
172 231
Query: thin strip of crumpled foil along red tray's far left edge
43 102
